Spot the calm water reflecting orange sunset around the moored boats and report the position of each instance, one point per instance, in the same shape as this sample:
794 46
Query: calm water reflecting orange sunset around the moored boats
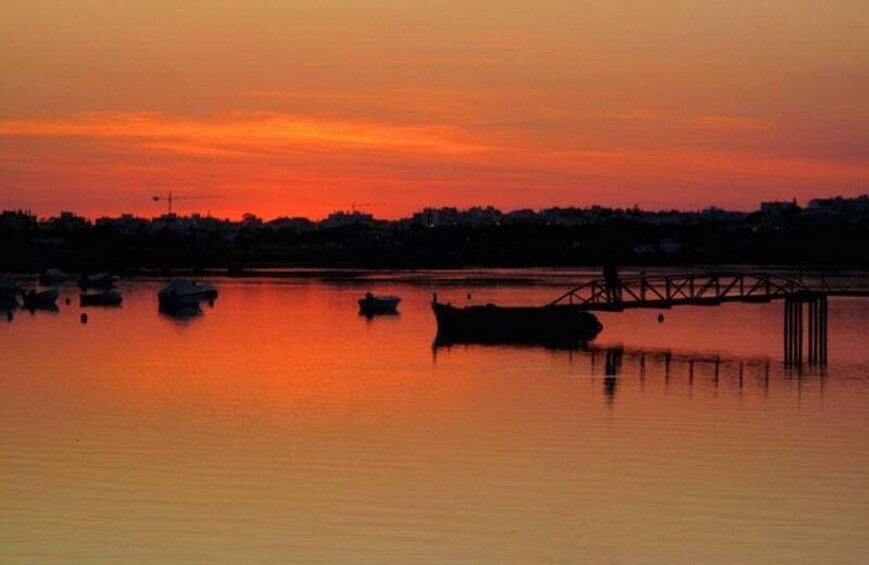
280 426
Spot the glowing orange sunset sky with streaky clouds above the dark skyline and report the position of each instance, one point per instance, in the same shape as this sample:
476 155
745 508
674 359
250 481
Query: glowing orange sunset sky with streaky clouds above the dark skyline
284 107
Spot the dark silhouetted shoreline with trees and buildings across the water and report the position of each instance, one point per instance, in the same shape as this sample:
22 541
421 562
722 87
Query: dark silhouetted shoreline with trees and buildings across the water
824 230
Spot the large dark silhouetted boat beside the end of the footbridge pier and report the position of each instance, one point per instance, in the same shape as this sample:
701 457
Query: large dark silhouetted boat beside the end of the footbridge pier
545 325
